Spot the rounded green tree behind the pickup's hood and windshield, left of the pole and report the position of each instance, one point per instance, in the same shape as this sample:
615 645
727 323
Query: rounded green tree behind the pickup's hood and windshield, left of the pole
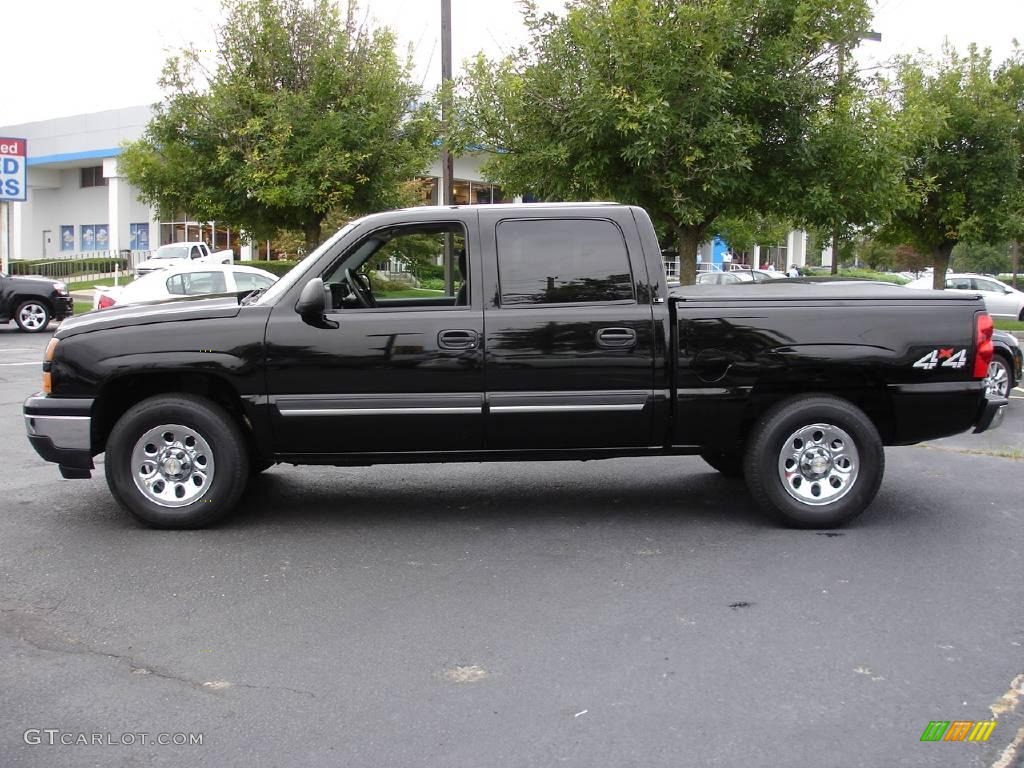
304 113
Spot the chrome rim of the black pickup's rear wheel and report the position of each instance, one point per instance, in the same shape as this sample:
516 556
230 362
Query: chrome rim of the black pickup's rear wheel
819 464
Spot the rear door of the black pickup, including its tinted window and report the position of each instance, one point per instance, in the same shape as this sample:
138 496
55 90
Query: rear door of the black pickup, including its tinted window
570 351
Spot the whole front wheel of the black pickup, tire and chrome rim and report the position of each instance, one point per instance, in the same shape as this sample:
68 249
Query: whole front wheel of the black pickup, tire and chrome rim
177 462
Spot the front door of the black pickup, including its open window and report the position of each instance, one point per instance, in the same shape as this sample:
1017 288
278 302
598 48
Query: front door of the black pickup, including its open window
404 369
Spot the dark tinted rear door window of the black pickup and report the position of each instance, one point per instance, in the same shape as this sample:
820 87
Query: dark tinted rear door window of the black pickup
559 262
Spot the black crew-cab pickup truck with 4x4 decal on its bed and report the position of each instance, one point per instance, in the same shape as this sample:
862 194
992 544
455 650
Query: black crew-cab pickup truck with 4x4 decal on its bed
560 340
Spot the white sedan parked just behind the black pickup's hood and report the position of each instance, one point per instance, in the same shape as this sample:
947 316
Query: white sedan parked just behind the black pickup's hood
186 280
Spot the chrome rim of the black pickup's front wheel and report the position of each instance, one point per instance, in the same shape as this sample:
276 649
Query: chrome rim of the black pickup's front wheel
173 465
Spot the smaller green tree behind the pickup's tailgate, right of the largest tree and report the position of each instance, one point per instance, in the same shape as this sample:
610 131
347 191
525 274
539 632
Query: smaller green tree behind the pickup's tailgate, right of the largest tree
964 158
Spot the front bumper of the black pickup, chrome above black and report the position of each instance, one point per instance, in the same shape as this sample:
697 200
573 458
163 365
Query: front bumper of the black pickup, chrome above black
61 432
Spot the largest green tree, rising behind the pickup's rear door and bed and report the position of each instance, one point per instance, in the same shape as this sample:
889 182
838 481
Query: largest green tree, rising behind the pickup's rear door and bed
694 110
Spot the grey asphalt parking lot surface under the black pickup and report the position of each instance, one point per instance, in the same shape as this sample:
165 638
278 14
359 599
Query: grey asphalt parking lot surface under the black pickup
630 613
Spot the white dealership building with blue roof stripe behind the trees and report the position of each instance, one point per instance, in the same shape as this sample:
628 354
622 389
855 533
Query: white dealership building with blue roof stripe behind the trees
80 205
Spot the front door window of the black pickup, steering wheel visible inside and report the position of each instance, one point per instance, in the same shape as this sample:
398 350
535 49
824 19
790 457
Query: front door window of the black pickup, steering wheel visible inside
403 267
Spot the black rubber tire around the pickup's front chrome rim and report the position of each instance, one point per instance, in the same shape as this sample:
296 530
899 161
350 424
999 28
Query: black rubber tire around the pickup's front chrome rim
224 439
